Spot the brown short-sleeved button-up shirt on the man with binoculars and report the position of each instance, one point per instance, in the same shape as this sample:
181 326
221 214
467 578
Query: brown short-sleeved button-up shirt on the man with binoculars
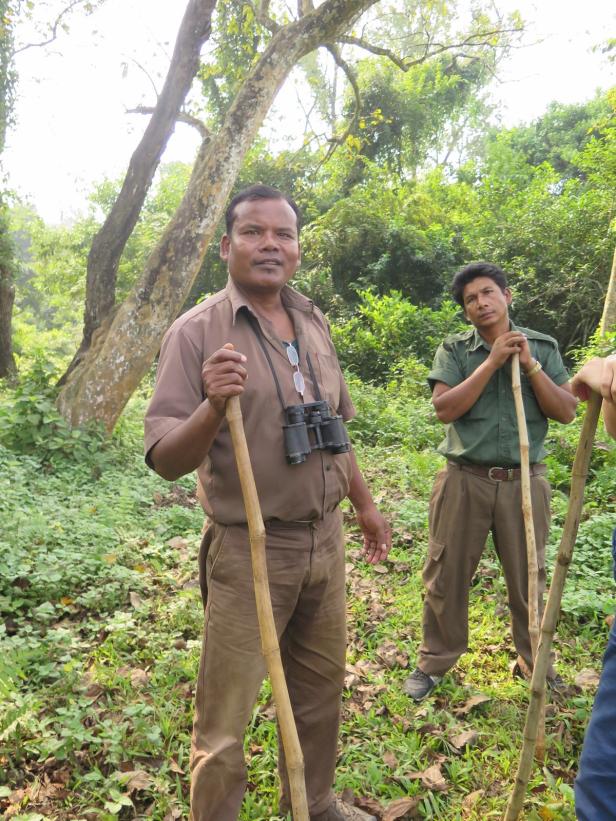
306 491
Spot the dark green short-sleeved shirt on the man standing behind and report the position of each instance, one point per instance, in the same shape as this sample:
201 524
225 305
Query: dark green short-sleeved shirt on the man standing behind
487 434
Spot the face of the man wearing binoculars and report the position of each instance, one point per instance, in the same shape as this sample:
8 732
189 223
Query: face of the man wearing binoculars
262 253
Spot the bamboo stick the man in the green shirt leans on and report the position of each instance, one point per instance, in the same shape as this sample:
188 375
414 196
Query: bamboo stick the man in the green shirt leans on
531 544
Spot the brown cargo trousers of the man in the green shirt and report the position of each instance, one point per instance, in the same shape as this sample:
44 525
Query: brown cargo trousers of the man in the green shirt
464 508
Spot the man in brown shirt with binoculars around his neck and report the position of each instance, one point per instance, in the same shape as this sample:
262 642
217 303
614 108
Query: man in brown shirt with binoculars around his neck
261 340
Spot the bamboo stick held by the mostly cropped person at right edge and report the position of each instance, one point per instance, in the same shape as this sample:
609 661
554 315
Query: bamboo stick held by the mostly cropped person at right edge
579 474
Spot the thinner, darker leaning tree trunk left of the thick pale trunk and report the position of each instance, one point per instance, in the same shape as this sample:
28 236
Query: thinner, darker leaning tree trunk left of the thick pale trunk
109 242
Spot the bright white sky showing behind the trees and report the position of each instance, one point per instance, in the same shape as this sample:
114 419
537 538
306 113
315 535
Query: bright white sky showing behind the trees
72 128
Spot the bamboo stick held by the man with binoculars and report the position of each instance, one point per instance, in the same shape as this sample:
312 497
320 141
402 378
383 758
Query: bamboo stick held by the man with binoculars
267 627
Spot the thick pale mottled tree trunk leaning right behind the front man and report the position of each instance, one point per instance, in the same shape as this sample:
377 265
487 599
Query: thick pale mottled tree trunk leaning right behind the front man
125 344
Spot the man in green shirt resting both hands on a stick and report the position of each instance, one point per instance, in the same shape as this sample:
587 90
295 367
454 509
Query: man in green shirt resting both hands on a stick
479 491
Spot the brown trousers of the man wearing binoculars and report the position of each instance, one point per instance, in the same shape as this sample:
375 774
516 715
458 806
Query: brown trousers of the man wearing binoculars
306 575
